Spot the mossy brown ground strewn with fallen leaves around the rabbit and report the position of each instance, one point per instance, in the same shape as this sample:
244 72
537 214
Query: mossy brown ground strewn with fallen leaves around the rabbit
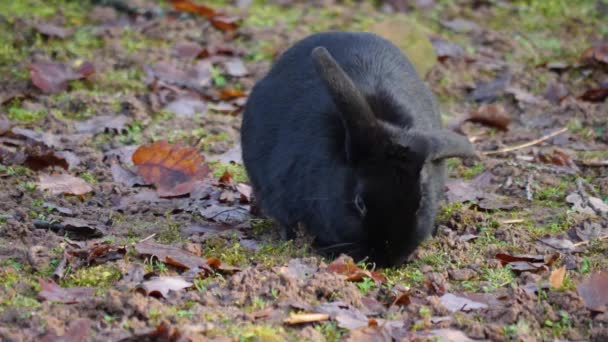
94 246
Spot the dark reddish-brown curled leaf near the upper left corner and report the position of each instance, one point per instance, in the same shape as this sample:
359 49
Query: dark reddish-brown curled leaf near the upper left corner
53 77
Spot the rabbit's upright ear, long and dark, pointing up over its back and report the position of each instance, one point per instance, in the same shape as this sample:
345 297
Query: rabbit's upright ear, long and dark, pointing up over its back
357 116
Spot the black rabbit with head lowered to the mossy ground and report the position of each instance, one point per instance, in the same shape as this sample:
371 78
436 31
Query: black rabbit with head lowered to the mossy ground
343 137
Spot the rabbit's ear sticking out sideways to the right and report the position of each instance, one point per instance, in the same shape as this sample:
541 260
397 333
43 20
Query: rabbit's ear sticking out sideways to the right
448 144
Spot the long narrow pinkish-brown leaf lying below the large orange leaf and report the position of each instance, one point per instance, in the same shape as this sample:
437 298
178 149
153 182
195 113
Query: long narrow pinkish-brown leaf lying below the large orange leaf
172 255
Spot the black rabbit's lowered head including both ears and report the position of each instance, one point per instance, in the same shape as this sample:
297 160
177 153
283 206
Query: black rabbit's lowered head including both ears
391 165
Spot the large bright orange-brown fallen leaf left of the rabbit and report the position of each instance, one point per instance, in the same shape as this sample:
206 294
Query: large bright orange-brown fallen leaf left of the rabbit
174 169
